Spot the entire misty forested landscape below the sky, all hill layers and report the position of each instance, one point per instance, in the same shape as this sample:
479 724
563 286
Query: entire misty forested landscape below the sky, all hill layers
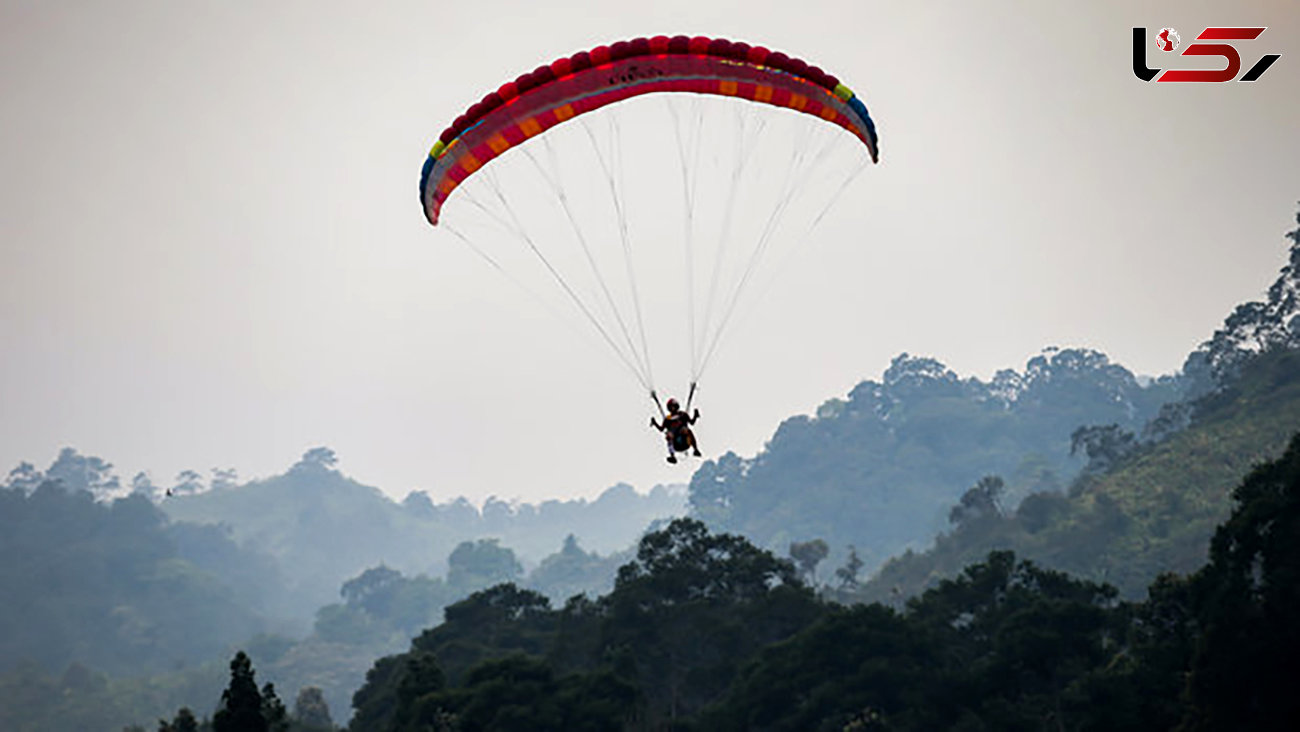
1065 545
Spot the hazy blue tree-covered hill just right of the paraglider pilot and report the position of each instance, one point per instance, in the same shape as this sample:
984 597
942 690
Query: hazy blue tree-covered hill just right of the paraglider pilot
882 469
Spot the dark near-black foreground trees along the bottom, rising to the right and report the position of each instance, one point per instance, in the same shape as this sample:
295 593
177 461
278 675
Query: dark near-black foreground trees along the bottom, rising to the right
705 631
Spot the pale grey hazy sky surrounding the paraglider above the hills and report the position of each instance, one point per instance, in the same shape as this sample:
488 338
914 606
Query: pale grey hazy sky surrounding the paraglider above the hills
213 252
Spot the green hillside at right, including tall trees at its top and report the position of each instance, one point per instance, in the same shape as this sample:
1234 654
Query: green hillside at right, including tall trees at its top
1154 506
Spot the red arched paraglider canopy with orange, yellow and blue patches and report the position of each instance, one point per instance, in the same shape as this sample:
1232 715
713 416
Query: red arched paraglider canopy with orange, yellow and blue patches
591 80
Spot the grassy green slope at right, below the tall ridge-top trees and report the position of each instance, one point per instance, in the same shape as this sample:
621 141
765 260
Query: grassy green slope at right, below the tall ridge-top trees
1152 512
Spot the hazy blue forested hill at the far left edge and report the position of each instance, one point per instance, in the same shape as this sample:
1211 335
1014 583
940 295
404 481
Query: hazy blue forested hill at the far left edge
110 586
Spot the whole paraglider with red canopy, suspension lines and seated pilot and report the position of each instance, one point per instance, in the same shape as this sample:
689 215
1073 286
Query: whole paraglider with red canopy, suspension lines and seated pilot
566 94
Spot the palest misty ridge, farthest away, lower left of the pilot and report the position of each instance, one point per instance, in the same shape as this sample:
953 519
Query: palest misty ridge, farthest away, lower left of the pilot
326 529
